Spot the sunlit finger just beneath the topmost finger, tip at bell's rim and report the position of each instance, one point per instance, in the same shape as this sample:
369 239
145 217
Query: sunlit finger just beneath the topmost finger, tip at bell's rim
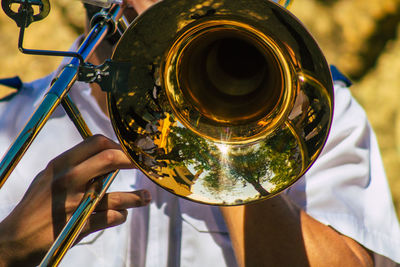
99 164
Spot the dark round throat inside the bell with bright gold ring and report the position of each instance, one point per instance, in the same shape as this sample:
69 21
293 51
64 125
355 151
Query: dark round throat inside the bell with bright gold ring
229 75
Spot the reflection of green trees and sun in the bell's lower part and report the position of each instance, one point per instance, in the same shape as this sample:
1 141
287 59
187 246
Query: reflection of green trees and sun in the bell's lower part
268 166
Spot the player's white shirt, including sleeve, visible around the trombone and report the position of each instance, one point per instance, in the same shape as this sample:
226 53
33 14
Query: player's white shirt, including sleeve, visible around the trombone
346 189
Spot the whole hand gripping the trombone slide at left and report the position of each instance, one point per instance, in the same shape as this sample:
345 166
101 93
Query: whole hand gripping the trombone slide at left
28 232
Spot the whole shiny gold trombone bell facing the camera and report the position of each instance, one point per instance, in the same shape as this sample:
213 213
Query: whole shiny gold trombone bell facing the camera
227 102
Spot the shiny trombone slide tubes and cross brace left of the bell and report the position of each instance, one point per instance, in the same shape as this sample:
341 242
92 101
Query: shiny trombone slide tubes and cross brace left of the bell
58 93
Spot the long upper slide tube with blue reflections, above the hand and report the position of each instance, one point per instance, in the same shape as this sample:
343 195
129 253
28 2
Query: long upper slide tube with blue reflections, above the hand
54 96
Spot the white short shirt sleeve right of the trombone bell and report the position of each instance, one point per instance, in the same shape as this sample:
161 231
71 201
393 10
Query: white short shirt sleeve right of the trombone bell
347 188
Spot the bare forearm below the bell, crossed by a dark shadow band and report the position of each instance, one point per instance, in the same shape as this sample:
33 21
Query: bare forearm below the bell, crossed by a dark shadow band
276 232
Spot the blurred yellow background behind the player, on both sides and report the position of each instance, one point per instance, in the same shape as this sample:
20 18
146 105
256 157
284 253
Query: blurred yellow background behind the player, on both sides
362 38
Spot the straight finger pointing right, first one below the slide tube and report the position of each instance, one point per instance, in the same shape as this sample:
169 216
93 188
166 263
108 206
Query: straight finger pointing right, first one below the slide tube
124 200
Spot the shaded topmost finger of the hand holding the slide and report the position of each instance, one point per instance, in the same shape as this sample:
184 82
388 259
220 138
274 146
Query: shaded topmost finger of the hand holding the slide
84 150
